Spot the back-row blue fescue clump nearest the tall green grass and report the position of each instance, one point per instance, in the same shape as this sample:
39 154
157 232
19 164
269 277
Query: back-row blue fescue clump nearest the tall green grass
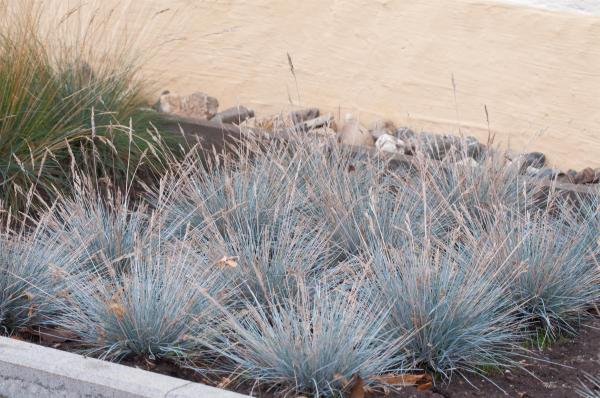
246 189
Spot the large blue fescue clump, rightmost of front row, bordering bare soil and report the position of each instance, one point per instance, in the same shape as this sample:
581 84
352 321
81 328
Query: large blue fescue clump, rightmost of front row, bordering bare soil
460 317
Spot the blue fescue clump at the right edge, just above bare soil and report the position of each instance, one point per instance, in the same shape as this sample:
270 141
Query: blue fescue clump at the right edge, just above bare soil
557 275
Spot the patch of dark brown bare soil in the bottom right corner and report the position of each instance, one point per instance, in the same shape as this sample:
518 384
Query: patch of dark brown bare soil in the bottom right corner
568 361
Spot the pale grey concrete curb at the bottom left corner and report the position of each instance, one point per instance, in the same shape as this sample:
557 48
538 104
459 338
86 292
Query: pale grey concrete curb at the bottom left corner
29 370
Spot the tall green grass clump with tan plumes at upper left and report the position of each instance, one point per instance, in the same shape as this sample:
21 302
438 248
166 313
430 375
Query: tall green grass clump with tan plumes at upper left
61 106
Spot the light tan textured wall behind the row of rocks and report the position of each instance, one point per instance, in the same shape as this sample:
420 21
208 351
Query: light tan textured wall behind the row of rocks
537 72
